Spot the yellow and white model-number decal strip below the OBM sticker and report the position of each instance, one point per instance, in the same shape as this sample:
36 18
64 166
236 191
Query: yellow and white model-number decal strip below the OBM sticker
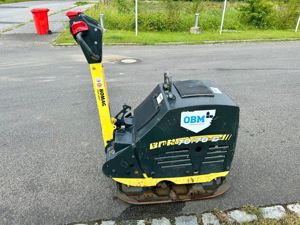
190 140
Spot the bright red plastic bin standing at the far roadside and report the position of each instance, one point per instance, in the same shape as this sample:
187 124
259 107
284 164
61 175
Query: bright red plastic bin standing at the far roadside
40 17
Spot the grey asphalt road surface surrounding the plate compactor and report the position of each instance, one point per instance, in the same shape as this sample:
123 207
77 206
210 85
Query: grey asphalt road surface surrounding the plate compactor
50 142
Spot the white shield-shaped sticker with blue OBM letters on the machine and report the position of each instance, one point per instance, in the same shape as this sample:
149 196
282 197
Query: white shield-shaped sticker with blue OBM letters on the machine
197 121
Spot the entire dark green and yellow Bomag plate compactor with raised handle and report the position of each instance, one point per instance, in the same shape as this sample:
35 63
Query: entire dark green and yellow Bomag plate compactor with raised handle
177 145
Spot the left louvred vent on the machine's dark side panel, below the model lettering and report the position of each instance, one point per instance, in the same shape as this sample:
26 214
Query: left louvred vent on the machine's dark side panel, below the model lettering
174 158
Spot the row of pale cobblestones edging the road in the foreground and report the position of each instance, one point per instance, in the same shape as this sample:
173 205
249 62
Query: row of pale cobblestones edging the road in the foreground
245 214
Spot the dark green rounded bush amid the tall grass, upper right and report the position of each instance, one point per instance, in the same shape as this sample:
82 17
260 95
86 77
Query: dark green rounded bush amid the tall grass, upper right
257 13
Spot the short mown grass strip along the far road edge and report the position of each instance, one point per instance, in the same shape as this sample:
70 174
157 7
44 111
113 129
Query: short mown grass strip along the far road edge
152 38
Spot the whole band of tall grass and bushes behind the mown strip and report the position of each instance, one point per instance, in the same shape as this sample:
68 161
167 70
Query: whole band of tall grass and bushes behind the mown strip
177 16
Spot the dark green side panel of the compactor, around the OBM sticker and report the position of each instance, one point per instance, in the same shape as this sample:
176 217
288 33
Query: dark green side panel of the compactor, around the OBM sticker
170 150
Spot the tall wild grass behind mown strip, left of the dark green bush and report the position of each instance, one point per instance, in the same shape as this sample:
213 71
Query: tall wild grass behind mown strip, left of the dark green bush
167 16
